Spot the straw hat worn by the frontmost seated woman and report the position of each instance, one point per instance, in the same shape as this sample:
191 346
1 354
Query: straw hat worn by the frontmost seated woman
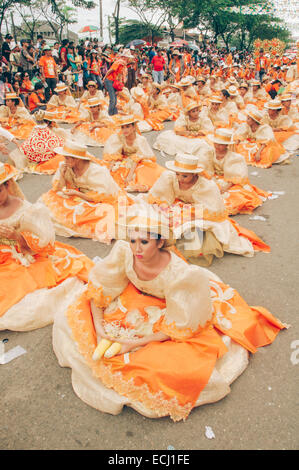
146 219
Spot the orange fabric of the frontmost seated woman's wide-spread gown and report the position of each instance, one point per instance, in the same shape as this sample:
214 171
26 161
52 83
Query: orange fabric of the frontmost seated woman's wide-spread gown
169 376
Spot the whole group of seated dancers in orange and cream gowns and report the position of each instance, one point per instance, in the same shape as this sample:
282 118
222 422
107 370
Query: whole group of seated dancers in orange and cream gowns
139 324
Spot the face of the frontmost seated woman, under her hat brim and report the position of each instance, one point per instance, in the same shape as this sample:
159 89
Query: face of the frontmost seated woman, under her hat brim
144 247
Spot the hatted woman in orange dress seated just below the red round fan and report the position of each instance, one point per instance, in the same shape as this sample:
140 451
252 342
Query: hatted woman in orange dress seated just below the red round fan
84 199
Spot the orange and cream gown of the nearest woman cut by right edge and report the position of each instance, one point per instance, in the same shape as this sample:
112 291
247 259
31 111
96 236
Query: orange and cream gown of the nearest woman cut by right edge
288 135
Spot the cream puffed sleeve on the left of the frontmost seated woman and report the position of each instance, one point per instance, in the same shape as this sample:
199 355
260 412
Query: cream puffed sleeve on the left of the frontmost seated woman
108 278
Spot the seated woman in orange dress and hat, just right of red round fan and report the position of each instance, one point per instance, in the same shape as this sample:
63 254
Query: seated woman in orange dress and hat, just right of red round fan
130 159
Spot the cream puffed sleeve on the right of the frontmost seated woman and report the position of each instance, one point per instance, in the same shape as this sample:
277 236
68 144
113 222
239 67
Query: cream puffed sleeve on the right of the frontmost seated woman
188 302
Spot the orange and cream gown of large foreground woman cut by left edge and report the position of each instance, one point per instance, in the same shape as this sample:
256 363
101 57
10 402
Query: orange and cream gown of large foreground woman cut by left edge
36 284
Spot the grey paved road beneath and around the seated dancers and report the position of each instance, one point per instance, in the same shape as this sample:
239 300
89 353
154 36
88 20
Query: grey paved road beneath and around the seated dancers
39 409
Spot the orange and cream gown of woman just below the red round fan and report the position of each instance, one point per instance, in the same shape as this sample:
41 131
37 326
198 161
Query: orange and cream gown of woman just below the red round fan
74 217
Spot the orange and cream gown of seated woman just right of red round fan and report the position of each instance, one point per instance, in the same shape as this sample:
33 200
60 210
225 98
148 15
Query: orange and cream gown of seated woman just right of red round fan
120 157
